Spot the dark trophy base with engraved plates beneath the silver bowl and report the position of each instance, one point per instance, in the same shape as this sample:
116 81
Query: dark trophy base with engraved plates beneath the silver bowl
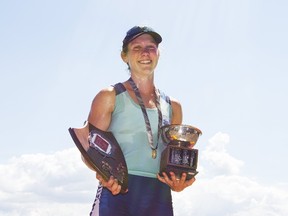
179 160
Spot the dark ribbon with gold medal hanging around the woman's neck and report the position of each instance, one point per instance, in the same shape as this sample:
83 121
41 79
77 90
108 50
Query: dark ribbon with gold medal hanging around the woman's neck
145 115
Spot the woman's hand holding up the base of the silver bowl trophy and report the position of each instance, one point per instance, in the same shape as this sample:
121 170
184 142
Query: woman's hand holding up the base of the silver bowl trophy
174 183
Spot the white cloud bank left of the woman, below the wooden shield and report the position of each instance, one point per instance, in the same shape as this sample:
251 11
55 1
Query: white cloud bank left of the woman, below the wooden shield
41 184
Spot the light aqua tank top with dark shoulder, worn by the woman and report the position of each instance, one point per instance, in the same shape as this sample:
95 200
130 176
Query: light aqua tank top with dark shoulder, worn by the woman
128 127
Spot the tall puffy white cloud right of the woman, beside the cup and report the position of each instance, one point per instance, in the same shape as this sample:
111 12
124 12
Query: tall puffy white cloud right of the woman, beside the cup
222 190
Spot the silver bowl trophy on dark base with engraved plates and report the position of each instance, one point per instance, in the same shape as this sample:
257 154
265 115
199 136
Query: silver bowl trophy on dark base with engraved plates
179 155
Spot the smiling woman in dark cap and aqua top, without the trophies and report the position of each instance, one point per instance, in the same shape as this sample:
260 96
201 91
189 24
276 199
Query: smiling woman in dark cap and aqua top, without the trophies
134 111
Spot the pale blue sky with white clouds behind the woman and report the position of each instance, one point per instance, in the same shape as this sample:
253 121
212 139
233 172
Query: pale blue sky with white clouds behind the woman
226 61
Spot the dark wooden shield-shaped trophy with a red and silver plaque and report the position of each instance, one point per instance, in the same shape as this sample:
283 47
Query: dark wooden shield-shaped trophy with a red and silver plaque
102 152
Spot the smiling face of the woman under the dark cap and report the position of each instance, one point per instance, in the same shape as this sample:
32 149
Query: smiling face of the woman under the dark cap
142 55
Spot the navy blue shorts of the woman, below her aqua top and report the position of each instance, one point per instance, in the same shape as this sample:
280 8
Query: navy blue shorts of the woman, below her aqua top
146 196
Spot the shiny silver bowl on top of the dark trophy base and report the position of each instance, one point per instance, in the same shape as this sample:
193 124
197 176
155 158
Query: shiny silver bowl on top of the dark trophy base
179 132
